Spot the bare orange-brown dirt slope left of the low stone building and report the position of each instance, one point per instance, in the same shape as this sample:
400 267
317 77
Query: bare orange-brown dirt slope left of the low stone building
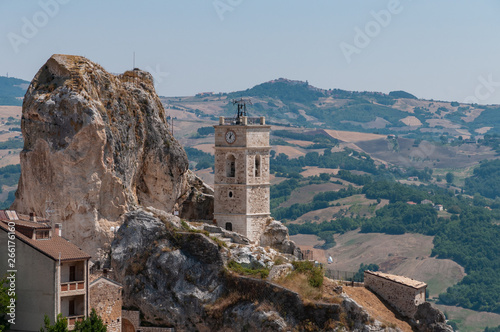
375 307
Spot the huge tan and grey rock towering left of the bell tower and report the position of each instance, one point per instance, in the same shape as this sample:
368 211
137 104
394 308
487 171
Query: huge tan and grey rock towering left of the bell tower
97 145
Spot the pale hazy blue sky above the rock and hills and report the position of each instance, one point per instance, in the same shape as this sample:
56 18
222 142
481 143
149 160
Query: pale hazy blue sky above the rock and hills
445 50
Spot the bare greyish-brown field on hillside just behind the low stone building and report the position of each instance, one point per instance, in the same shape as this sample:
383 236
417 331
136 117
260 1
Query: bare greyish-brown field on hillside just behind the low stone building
407 254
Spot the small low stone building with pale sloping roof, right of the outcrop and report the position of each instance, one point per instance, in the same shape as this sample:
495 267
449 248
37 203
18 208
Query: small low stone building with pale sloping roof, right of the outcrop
402 293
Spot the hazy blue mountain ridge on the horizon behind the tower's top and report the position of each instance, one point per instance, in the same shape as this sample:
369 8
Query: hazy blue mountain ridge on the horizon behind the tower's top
297 103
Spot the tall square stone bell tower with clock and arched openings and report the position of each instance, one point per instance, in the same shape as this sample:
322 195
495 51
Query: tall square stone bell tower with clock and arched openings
241 180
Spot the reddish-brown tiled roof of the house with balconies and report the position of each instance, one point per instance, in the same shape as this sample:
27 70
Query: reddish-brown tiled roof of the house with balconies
52 247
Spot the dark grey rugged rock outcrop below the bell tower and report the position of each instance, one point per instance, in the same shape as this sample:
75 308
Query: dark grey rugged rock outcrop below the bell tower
177 276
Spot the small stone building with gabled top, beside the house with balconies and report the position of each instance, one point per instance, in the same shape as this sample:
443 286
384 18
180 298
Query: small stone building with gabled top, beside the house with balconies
106 299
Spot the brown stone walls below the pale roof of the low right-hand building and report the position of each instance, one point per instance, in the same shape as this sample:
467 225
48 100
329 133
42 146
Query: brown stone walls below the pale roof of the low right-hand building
404 299
